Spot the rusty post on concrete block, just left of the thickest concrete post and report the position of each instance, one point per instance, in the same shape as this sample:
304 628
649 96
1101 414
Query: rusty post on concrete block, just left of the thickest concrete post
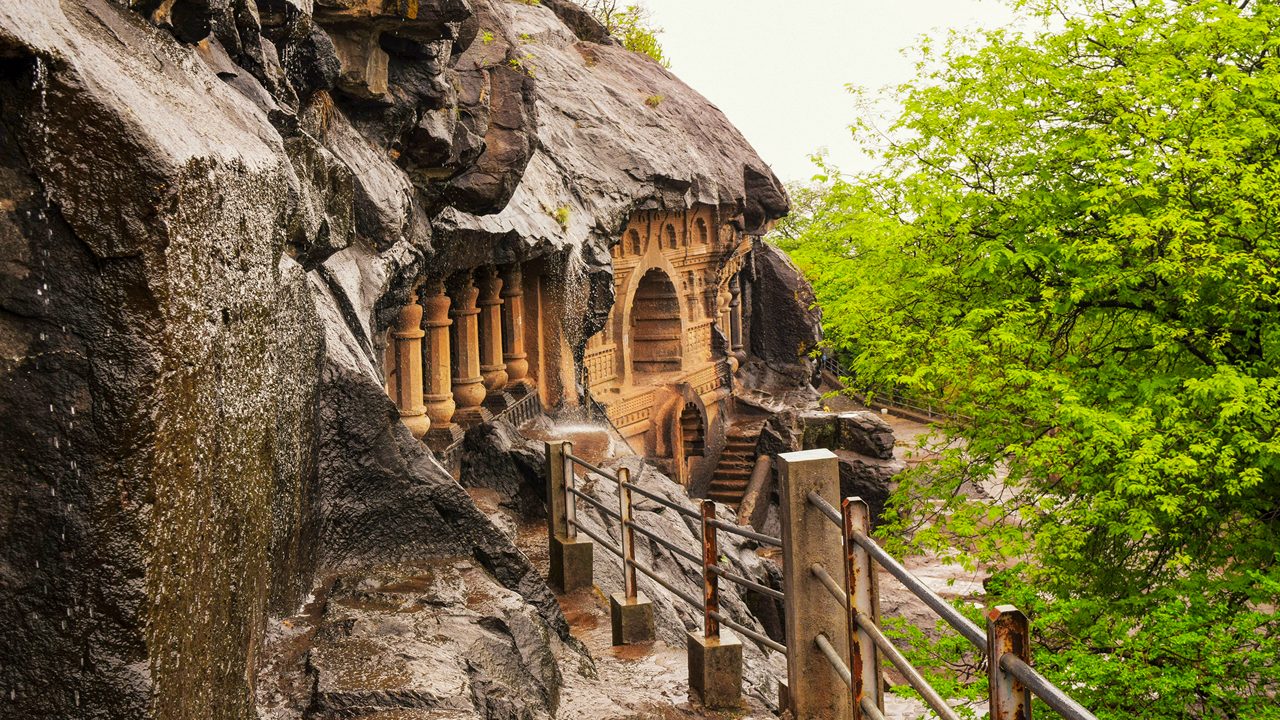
715 655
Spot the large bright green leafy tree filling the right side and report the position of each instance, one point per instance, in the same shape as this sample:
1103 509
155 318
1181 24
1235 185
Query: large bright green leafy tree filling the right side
1073 245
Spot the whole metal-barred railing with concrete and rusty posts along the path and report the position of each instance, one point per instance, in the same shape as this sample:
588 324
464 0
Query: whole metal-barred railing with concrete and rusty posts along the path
831 598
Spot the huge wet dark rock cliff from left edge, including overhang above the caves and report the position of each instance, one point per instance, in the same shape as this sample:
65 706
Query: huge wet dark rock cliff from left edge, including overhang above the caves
211 211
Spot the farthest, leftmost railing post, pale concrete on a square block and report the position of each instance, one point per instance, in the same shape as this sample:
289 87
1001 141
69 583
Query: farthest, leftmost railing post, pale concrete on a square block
570 558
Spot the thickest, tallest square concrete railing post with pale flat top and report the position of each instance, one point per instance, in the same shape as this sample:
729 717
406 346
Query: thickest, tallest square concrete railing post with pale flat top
816 692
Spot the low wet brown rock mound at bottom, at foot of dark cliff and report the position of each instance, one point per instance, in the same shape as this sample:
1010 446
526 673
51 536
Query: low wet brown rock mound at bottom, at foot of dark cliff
423 640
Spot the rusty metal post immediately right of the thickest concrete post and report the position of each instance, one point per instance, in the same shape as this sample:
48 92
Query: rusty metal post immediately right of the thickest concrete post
863 590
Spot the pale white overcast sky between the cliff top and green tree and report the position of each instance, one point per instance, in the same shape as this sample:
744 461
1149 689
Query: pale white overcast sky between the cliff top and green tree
779 70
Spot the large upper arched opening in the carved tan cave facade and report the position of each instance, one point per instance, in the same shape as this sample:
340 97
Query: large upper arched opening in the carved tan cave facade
657 340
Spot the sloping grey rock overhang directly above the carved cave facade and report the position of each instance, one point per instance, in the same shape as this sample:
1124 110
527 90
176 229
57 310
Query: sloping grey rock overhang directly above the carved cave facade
616 133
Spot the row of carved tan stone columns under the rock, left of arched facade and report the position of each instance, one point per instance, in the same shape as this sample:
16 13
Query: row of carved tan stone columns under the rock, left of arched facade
473 356
